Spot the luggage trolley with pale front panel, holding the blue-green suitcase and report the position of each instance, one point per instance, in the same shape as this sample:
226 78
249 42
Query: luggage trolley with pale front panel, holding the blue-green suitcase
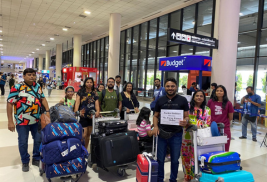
205 145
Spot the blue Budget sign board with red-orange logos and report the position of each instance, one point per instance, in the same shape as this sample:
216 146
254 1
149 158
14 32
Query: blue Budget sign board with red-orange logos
194 62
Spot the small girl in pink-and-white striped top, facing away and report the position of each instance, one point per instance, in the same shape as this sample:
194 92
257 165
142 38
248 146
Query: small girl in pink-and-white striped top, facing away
144 125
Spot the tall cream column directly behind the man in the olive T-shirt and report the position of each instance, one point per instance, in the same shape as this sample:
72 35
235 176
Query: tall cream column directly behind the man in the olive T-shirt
114 44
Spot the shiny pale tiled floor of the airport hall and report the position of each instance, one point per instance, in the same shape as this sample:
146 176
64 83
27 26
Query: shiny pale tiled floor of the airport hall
254 158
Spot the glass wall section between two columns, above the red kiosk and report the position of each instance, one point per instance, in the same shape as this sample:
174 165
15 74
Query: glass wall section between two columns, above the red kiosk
95 55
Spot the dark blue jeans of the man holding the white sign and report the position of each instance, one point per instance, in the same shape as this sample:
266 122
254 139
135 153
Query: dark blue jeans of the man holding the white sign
175 144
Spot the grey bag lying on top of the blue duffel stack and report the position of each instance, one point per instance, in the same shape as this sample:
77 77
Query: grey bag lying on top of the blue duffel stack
62 114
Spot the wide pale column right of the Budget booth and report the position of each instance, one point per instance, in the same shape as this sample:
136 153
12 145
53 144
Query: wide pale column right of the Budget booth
226 31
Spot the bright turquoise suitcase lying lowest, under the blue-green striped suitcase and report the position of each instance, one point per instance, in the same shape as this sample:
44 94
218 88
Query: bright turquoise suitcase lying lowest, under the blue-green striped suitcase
238 176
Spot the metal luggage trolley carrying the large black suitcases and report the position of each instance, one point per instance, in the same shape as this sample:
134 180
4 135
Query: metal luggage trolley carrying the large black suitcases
95 130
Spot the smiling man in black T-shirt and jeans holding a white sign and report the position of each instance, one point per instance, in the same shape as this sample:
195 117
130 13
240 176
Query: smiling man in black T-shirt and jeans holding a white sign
171 115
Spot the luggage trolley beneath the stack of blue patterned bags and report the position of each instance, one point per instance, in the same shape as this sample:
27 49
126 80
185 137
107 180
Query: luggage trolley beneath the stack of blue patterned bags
63 178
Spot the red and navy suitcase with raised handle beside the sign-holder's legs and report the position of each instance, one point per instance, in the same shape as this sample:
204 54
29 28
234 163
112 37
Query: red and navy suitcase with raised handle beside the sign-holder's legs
147 166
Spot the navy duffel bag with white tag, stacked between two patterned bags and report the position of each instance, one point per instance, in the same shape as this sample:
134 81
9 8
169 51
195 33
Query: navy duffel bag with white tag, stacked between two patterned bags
60 151
